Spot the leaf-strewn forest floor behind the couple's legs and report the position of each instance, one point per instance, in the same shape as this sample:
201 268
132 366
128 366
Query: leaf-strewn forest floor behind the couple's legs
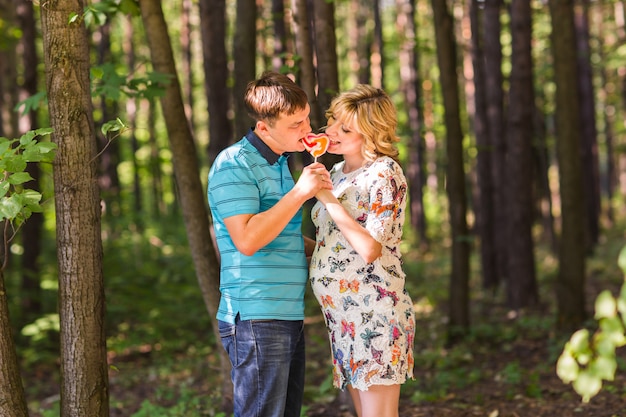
514 378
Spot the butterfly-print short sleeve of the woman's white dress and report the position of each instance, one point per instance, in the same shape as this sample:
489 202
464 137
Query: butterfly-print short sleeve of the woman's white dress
387 196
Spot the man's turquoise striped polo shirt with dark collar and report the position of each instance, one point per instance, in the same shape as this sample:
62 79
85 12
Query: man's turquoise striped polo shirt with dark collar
249 178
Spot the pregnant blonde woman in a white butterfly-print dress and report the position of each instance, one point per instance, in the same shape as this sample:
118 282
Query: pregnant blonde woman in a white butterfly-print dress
356 271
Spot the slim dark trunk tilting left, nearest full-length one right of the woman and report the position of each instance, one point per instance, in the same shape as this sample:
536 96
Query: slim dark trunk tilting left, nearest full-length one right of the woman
459 278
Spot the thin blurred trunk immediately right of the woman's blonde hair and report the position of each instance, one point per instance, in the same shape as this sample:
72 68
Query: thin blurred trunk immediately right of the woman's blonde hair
411 86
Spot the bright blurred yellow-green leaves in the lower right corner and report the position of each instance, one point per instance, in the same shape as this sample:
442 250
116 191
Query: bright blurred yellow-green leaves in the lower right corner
587 361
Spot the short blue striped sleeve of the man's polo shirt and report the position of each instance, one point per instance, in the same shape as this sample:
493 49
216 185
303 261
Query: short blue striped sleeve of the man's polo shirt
232 188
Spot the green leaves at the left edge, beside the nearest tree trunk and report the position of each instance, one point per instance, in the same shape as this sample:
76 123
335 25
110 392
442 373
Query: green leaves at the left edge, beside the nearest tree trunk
16 202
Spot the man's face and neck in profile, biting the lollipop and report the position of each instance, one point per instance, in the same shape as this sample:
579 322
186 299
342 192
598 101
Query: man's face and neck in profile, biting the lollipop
287 131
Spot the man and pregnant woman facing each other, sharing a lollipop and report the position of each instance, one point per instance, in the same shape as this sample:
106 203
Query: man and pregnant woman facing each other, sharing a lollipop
355 269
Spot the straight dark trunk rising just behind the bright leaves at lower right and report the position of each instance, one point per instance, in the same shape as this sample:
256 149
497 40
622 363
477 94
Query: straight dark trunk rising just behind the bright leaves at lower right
570 289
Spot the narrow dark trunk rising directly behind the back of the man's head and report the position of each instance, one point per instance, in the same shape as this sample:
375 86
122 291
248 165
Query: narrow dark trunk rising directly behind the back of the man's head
244 56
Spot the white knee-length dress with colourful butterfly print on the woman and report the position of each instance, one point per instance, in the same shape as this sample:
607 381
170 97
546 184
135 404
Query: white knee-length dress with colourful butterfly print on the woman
368 313
